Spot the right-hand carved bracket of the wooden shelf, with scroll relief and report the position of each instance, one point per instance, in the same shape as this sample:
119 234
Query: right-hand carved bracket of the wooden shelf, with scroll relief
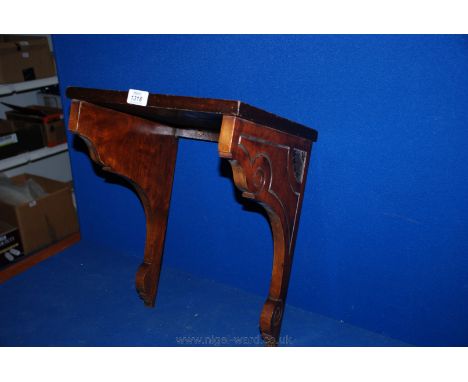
270 168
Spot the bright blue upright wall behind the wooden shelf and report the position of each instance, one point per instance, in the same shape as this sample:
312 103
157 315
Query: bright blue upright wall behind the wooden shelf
383 241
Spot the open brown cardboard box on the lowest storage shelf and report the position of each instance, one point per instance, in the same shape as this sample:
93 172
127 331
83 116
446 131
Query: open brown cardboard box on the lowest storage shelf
48 219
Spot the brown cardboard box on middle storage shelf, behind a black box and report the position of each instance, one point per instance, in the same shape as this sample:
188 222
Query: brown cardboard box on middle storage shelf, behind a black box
50 119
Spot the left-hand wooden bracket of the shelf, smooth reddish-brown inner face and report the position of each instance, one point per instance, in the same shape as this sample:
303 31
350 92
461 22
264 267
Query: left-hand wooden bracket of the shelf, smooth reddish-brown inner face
144 153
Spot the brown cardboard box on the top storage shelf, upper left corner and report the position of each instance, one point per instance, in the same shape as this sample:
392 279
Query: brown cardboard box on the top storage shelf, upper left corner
25 58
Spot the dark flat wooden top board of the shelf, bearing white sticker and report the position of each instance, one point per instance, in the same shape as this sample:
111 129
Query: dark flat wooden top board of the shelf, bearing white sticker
189 112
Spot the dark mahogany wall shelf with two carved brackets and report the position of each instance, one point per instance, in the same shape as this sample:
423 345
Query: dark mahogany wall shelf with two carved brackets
269 156
